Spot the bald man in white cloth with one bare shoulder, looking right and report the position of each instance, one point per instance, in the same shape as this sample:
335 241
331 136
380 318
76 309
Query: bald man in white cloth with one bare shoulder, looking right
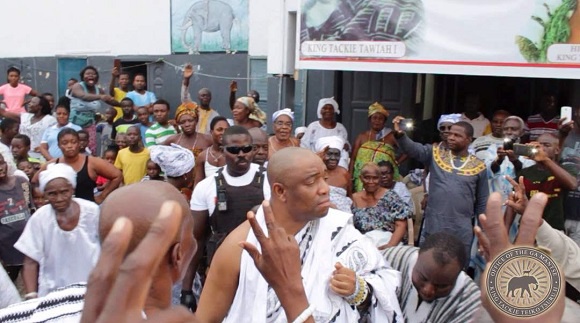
344 276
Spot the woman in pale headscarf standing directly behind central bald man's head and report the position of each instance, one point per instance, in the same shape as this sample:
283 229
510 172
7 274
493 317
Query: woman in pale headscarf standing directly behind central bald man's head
282 138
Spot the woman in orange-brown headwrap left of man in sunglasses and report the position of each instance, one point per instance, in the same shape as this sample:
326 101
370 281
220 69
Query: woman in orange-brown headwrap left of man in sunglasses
186 118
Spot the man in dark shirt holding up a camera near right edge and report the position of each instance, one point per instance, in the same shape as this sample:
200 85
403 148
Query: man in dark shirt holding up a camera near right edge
546 176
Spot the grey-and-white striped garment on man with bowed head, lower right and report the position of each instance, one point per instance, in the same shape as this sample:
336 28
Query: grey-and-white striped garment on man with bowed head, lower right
458 307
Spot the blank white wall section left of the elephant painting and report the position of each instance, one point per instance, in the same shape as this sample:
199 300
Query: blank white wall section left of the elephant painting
85 27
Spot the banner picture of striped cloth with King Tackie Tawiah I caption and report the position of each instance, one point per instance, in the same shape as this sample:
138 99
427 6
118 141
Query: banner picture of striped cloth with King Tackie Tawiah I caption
360 28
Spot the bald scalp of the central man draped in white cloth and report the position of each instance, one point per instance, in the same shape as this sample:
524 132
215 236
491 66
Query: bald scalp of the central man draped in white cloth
287 162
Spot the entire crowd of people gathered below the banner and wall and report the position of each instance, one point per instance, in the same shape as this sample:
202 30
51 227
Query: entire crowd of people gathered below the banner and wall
333 229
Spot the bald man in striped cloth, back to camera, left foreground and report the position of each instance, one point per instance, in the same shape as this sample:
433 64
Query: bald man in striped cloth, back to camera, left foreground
151 195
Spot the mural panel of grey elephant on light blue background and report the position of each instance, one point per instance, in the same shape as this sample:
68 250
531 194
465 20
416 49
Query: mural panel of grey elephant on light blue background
209 26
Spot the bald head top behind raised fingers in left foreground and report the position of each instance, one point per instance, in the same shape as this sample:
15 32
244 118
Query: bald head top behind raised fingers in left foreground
140 203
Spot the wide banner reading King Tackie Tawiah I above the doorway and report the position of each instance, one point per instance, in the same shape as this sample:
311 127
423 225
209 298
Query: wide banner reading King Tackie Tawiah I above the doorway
526 38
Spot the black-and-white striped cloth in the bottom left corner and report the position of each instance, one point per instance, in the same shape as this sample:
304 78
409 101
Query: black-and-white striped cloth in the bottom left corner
62 305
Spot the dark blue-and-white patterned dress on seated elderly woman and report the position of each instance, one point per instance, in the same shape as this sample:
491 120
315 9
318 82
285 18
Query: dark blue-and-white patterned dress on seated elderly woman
382 216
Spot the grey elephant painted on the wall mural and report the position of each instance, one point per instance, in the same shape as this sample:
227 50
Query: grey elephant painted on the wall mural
208 16
